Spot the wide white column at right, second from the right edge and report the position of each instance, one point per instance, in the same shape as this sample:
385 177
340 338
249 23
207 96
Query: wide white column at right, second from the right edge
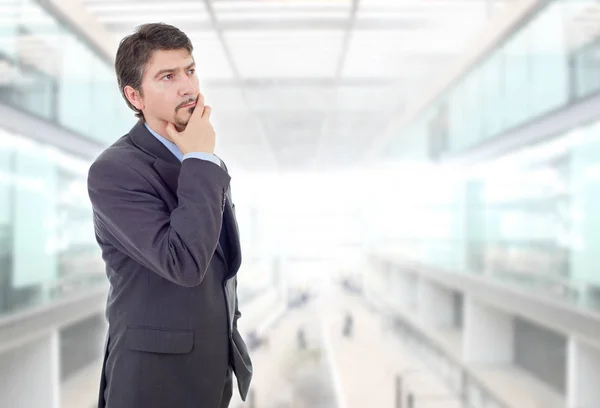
488 335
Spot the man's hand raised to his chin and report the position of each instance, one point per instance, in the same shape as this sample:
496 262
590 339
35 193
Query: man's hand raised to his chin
198 136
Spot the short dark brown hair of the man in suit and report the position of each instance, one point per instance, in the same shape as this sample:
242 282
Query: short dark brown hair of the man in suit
136 49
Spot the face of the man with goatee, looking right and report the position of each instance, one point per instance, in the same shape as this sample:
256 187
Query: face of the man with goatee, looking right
170 88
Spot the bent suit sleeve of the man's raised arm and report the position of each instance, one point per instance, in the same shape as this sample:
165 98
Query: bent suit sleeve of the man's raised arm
177 246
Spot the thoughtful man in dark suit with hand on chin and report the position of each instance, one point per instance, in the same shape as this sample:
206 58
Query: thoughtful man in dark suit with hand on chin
165 222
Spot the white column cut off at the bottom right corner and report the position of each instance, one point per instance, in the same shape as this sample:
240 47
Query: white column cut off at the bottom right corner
583 375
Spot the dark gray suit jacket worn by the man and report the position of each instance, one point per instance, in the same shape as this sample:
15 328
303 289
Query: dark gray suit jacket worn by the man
172 306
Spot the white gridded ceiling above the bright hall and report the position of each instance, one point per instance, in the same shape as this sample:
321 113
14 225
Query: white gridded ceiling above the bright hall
304 85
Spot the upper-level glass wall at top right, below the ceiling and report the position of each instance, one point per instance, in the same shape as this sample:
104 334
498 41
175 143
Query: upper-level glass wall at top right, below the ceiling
552 60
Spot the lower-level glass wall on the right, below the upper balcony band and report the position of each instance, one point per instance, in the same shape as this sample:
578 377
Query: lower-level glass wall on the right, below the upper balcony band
528 219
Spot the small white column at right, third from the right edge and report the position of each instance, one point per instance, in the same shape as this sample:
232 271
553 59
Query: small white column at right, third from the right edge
435 305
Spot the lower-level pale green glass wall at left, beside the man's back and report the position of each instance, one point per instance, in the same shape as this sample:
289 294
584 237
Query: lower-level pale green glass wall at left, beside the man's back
47 248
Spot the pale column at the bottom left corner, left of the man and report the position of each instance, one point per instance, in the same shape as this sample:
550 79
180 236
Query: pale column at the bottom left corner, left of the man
30 374
